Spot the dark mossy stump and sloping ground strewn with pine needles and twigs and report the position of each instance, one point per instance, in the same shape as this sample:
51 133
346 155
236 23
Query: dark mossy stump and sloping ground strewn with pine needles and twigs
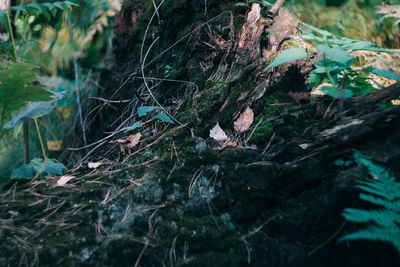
269 194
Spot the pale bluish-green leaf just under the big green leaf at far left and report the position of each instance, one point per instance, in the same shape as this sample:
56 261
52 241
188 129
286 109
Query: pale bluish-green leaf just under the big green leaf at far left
35 110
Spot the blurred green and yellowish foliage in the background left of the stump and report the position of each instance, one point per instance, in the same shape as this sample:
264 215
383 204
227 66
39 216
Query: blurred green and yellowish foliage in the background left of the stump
50 39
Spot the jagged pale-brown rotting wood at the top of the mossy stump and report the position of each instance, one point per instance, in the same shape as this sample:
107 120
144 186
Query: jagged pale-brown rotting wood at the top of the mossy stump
259 39
